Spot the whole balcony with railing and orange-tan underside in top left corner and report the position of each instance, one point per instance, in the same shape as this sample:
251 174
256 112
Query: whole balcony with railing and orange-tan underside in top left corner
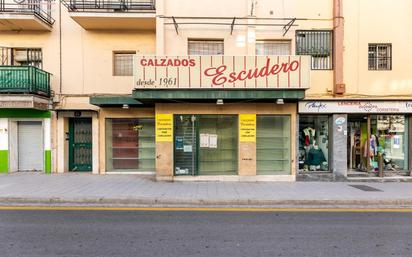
26 15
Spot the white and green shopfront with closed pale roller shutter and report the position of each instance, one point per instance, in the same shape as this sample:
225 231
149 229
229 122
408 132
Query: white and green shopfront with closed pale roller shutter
25 140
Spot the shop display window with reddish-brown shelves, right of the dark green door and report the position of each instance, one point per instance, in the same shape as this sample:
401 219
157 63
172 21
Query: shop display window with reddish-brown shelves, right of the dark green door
130 145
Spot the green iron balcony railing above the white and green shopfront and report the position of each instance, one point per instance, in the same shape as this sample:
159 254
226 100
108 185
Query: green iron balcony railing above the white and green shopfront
25 80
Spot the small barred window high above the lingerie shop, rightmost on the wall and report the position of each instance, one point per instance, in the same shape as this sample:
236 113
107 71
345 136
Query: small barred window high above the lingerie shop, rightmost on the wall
380 56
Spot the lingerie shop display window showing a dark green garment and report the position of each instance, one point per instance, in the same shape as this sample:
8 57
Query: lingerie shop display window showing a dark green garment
314 143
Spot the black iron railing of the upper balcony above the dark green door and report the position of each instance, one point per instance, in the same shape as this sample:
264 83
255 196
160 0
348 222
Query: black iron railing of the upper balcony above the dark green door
109 5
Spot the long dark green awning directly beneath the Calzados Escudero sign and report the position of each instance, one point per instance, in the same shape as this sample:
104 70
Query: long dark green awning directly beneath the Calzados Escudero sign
204 94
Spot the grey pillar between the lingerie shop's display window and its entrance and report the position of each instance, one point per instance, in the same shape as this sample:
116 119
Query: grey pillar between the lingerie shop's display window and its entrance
339 145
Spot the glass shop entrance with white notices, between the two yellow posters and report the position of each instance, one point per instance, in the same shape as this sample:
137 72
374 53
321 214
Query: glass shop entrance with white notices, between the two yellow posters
205 145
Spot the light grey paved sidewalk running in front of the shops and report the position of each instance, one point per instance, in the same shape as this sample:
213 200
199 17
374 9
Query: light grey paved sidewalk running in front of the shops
87 186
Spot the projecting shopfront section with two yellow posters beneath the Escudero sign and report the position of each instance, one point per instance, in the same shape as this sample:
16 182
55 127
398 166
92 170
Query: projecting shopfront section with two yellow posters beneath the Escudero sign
234 142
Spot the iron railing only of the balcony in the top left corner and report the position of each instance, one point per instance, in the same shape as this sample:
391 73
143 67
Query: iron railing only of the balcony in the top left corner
40 8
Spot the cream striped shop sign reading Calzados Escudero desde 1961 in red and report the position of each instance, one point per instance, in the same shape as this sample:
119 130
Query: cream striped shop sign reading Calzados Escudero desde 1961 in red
218 72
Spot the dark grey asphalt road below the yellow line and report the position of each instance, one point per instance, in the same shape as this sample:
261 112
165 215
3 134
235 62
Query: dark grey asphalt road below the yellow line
145 233
